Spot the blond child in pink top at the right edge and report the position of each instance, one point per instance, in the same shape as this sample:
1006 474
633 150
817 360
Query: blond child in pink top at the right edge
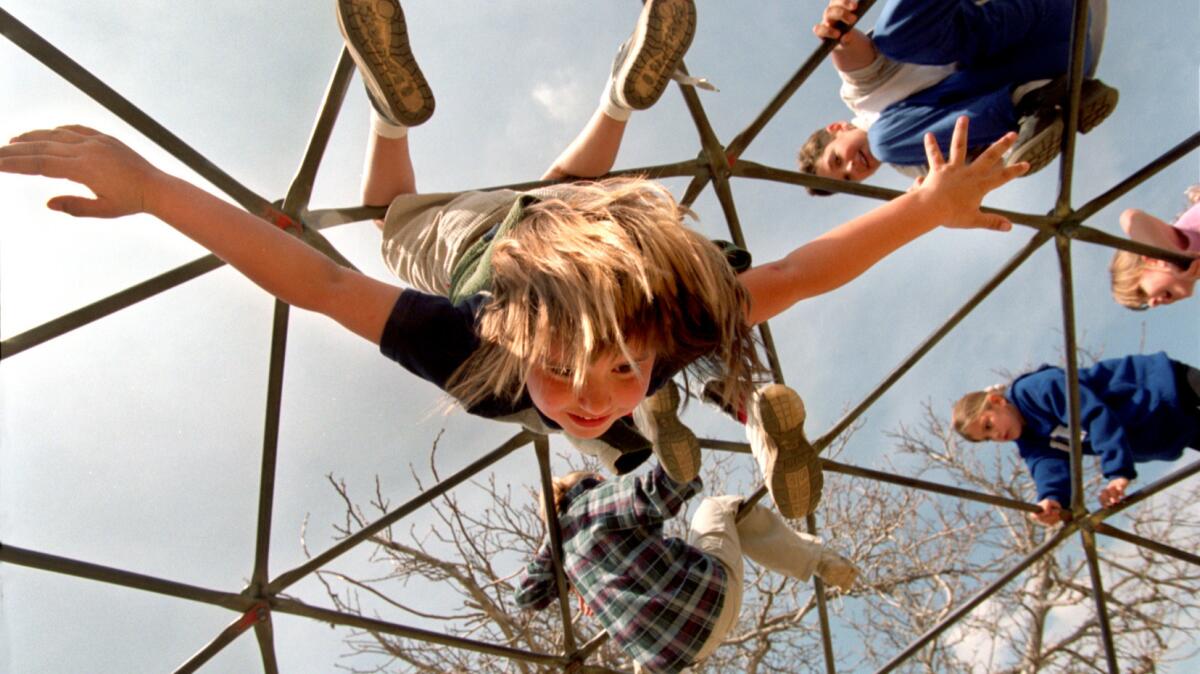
1141 281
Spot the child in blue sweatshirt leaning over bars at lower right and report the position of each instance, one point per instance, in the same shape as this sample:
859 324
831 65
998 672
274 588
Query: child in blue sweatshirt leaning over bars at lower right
1132 410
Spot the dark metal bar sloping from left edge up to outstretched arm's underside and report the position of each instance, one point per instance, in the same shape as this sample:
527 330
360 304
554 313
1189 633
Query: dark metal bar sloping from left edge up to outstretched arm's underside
113 304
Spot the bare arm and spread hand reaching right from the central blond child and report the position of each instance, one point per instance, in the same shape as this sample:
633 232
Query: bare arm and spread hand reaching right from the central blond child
950 196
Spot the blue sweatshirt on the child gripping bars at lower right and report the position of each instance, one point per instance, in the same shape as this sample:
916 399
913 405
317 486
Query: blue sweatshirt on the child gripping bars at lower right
1130 412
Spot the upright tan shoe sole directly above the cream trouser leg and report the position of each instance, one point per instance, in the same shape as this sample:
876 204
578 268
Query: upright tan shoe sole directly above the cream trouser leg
793 468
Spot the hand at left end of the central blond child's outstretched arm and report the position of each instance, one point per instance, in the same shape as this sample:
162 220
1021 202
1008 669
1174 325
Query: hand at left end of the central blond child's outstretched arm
117 176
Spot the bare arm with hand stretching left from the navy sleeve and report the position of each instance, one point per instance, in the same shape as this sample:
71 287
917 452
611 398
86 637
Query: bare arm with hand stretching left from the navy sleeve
125 184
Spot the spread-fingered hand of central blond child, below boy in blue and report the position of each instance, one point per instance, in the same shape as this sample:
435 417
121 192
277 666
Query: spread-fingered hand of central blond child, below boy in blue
961 186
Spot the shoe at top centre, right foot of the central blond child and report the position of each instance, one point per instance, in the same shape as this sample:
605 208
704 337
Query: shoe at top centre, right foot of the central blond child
652 55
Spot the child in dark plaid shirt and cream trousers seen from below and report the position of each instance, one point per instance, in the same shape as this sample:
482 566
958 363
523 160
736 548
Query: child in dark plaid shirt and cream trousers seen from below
668 604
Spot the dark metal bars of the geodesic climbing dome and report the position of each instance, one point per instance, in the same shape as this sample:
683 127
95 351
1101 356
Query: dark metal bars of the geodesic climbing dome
717 166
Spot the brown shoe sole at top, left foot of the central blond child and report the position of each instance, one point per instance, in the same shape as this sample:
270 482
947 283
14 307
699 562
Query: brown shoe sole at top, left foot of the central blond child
379 43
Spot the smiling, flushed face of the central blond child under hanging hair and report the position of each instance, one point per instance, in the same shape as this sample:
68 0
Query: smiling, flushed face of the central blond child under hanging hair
613 388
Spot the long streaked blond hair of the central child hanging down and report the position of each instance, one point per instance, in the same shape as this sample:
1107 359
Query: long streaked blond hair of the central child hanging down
595 269
